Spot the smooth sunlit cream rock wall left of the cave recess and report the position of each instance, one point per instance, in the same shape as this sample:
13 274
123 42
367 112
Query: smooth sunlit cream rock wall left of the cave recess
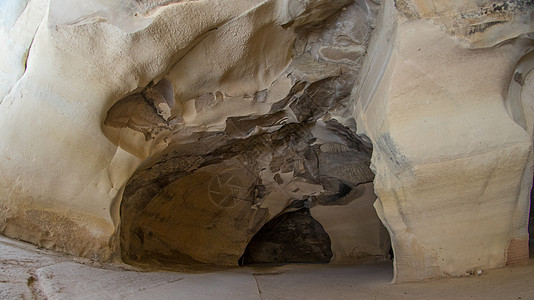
66 190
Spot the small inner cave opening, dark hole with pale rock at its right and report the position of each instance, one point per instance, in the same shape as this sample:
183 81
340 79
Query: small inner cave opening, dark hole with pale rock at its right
348 233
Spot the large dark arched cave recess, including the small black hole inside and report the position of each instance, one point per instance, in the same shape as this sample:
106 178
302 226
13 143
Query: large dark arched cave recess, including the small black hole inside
270 199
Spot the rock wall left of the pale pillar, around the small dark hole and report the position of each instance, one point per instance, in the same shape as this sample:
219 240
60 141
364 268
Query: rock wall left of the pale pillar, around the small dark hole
177 129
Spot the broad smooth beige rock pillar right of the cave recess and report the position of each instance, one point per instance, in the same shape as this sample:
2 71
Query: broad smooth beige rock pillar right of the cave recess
453 169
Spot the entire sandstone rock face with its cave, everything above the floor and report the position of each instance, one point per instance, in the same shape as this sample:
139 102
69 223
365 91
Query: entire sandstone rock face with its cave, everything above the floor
172 132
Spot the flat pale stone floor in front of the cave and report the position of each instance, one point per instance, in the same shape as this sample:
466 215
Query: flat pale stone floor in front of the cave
30 273
